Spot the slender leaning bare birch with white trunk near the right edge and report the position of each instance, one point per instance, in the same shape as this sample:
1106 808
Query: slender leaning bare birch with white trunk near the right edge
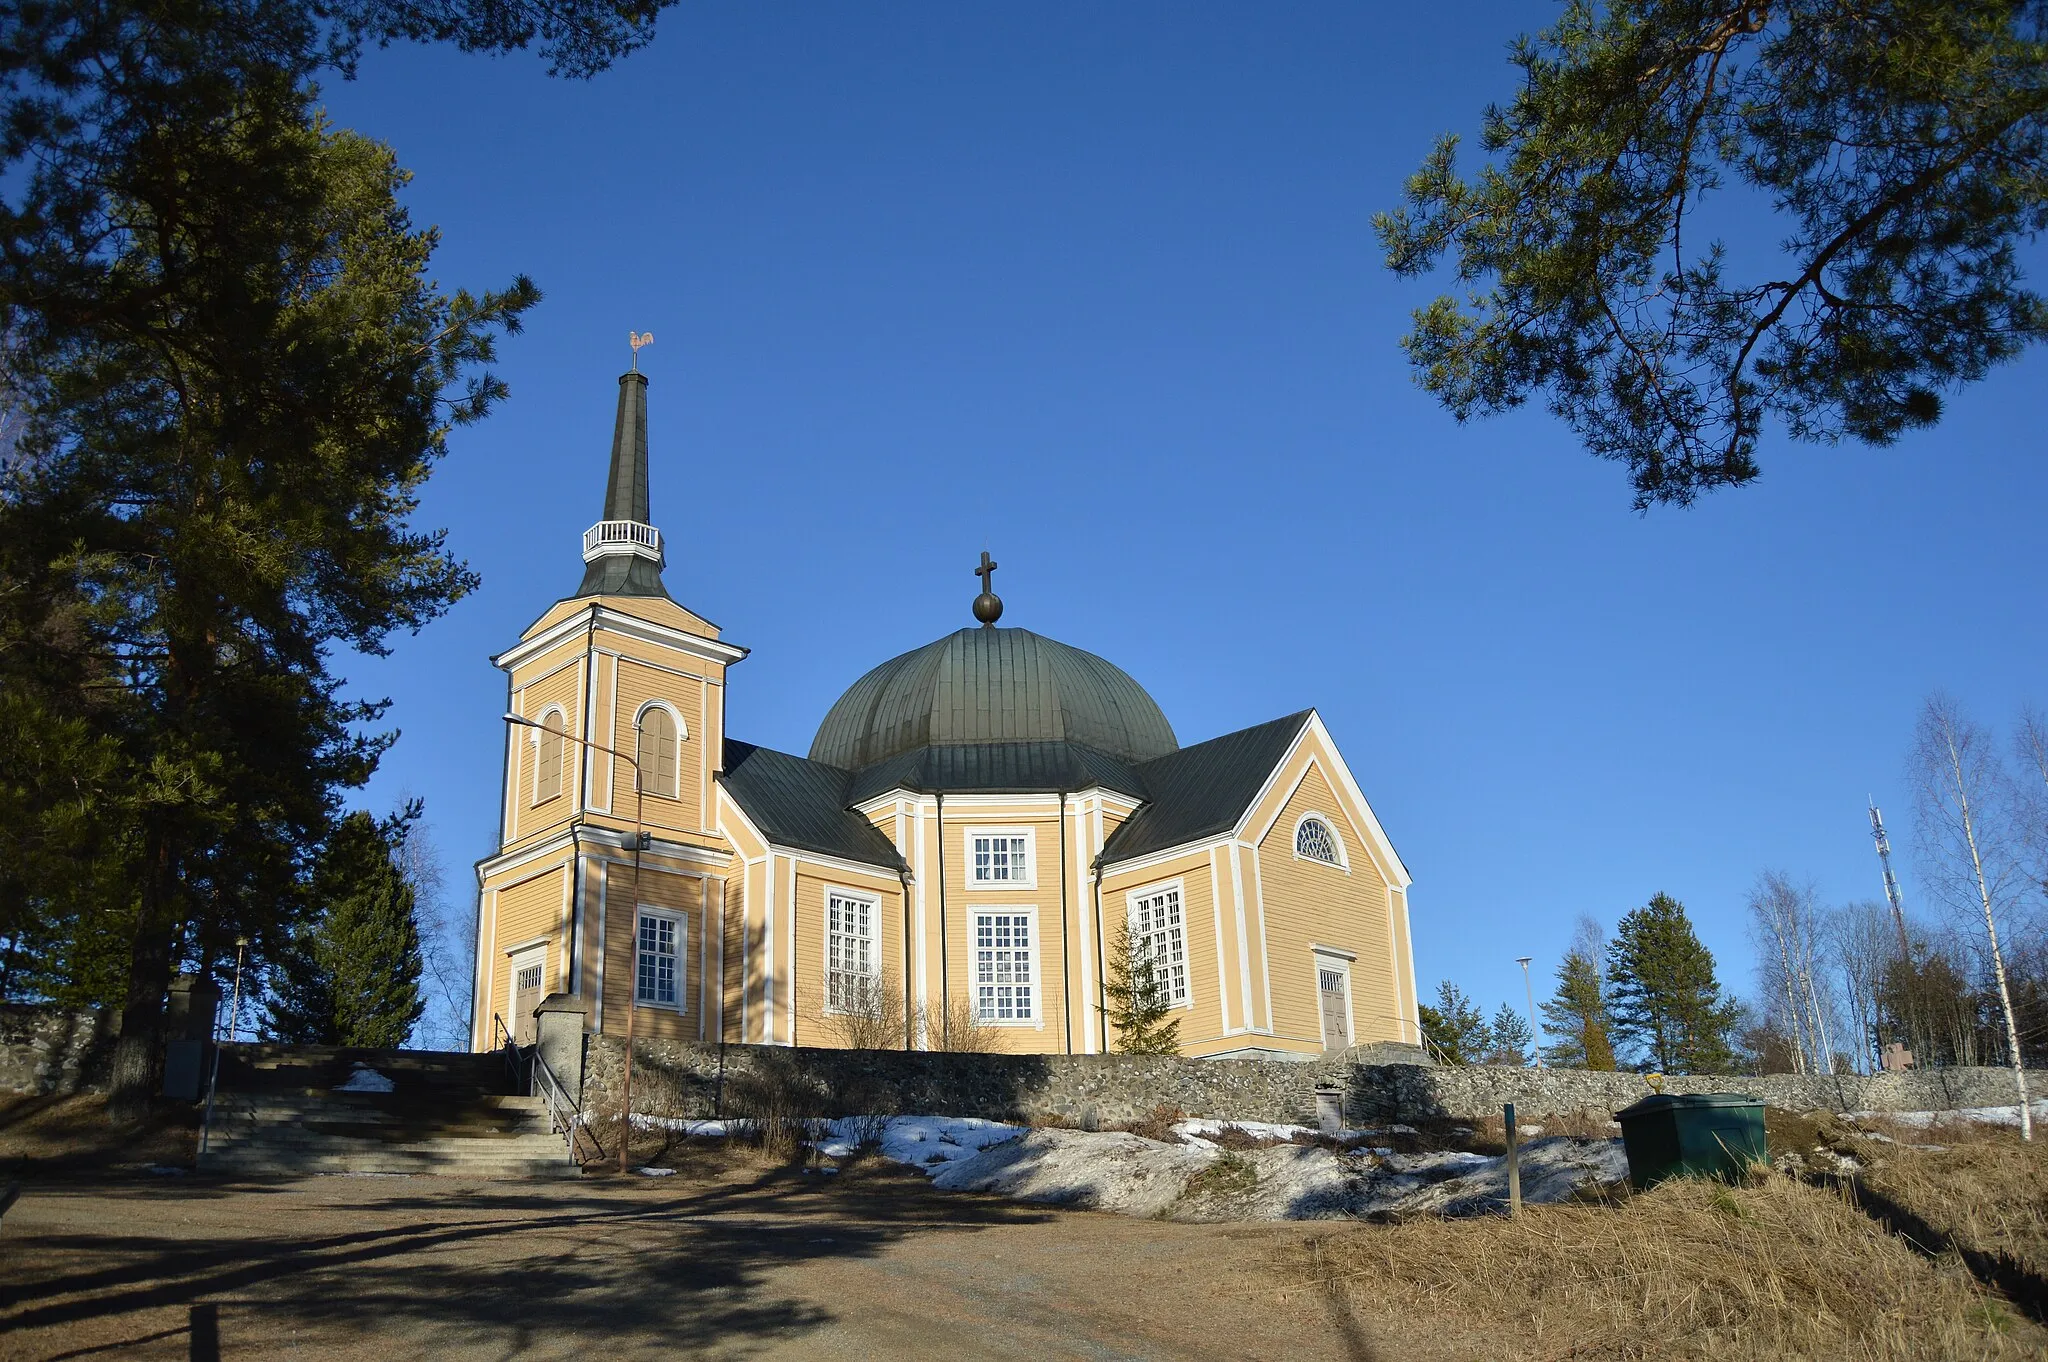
1965 802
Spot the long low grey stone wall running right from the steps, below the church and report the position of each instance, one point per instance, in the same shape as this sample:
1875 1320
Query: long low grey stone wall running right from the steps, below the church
1109 1091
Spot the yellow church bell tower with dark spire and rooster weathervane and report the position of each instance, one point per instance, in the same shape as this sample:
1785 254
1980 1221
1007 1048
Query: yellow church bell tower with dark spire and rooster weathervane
609 861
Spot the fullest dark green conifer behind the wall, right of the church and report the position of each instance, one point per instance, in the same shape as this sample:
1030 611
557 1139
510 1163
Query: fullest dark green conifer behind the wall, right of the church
1664 996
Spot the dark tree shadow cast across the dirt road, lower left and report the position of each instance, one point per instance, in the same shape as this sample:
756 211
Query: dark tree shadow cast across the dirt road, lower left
505 1265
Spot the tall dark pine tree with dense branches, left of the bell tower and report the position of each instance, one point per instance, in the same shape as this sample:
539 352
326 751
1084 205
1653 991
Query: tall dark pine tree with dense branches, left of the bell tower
228 372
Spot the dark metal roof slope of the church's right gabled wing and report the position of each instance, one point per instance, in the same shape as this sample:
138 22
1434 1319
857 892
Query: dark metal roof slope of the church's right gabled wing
1201 792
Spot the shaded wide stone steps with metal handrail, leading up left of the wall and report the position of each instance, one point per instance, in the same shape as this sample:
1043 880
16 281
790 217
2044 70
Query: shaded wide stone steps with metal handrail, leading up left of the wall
282 1111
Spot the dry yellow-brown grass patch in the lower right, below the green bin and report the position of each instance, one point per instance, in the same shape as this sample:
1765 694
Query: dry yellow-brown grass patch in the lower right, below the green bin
1687 1271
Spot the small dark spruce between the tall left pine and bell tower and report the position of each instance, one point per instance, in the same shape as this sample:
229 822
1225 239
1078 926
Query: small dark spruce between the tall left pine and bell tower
353 974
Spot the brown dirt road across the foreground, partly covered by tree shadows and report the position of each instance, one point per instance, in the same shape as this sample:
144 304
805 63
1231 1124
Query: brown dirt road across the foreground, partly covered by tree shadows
714 1263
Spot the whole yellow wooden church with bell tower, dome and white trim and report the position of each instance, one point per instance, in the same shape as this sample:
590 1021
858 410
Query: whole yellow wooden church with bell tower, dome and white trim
955 853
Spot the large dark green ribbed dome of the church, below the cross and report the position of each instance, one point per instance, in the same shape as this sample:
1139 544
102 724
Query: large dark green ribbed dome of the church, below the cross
992 687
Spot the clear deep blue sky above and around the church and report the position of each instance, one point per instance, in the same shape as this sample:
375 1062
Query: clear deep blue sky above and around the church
1095 288
